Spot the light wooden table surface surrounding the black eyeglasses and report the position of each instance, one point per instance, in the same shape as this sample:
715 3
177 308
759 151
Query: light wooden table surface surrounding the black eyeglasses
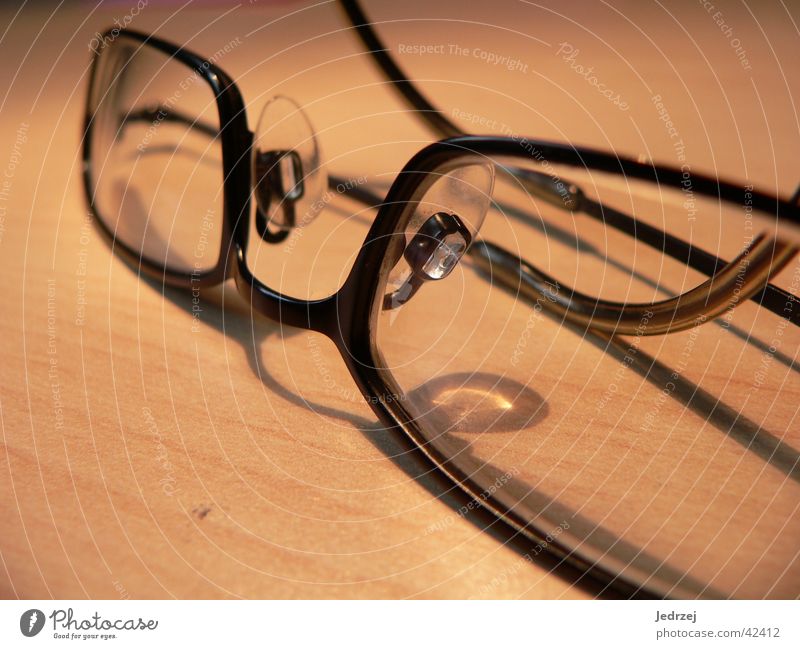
143 459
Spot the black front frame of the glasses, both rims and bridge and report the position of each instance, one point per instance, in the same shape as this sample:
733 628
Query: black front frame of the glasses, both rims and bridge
349 317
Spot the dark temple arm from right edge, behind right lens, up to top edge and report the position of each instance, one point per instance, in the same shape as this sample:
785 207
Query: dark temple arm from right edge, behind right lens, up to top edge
770 297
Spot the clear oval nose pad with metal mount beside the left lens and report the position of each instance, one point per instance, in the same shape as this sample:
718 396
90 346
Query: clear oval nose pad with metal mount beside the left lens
289 180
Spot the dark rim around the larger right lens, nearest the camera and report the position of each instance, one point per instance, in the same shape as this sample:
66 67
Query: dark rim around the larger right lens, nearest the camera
364 360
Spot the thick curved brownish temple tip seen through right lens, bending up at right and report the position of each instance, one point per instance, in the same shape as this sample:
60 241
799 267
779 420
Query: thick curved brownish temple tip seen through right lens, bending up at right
735 282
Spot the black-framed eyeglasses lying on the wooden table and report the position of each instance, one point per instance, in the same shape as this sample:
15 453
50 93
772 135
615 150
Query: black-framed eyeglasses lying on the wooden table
437 320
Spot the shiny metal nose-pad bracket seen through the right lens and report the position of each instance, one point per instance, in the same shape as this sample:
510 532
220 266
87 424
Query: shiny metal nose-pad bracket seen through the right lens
432 254
